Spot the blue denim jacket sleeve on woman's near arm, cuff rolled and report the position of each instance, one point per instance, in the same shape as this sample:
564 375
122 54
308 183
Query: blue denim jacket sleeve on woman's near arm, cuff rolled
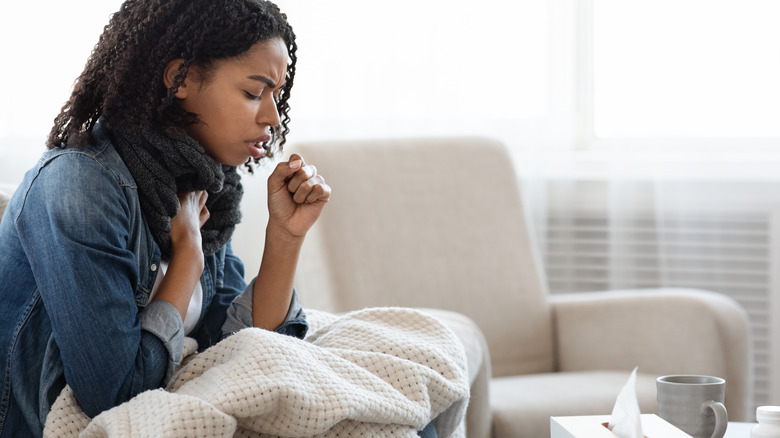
75 222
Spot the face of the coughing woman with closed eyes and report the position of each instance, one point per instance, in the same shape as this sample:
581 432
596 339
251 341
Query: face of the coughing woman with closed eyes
236 104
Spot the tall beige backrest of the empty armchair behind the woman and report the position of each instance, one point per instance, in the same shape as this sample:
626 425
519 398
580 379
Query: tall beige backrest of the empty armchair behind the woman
429 223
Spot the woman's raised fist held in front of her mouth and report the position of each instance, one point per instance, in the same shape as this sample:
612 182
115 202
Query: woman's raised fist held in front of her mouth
296 197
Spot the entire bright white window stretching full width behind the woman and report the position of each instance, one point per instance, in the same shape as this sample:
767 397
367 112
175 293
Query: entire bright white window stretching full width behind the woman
661 69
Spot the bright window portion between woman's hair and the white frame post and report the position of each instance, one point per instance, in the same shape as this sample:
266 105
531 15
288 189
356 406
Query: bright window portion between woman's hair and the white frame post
365 64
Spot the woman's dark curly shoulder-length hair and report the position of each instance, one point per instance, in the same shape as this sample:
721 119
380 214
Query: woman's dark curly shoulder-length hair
123 78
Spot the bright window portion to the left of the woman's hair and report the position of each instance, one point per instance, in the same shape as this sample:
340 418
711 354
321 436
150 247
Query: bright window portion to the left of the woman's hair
44 46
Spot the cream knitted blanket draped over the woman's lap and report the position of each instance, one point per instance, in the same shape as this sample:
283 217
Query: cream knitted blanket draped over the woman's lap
382 372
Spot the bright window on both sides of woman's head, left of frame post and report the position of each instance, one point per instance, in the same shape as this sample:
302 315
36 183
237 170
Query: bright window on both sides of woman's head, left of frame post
376 68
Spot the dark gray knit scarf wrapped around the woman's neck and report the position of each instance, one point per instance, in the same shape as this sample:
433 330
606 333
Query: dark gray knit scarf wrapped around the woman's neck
162 166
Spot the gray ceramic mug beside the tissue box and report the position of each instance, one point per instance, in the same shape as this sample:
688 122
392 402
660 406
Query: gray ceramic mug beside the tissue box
694 404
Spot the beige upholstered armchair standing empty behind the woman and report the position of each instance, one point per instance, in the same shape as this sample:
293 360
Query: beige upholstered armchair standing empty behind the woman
439 223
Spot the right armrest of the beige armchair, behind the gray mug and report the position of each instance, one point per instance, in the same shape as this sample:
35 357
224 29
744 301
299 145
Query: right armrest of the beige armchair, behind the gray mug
662 331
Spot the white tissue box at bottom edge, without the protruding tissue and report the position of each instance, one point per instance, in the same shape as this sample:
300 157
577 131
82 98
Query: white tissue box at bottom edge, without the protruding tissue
595 426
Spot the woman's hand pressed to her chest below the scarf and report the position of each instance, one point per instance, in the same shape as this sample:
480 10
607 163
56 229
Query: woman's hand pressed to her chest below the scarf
185 226
